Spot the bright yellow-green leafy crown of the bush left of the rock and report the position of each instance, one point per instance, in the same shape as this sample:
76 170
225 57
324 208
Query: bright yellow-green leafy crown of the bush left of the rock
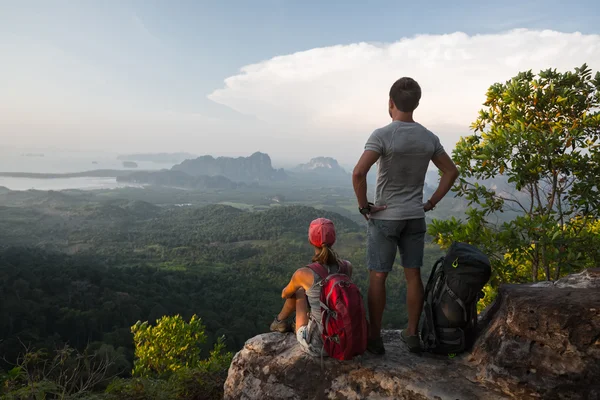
173 344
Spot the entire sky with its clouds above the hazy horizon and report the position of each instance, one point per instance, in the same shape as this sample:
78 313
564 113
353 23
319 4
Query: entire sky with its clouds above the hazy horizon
295 79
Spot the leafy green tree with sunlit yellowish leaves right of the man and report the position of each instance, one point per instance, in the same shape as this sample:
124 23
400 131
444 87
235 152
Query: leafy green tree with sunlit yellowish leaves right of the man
540 136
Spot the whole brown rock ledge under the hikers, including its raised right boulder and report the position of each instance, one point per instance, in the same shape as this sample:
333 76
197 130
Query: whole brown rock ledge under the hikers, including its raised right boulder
537 341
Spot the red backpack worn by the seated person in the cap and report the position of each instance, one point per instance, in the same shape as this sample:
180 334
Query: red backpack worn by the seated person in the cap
343 313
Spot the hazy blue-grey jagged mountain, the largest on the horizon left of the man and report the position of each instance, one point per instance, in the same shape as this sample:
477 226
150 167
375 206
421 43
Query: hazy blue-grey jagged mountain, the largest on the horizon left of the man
257 167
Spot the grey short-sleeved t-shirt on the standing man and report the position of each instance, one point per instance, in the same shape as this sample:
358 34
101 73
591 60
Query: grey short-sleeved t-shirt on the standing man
405 150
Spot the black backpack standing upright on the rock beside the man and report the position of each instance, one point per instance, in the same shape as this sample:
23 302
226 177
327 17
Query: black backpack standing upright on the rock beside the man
449 323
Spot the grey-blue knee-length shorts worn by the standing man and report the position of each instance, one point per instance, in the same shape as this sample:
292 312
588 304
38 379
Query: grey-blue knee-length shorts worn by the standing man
385 236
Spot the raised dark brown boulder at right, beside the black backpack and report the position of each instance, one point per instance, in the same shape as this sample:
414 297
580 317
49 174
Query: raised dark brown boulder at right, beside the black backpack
545 337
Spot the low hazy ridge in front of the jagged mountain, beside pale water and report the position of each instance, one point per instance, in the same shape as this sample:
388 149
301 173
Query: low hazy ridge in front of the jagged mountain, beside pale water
179 179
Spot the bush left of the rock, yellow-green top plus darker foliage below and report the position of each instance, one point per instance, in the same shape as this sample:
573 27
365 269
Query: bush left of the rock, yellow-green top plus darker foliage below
169 364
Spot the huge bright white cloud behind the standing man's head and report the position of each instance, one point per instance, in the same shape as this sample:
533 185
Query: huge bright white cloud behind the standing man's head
341 91
